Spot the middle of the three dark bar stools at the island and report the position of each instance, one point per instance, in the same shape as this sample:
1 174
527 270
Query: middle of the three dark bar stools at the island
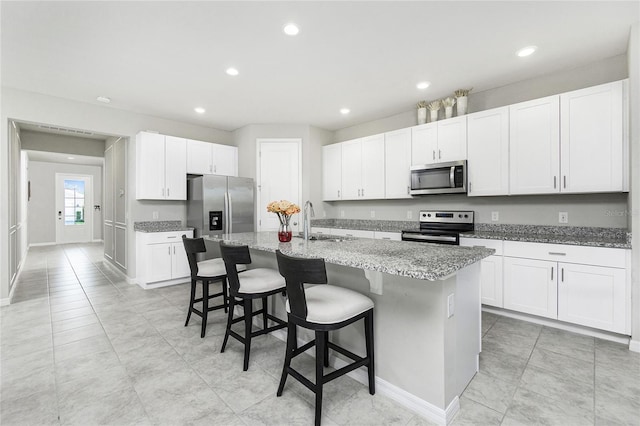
257 283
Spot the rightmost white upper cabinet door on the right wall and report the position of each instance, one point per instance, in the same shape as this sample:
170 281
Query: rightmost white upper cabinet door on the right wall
592 139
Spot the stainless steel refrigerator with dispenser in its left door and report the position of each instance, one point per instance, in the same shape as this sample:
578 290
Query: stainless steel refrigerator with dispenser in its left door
220 205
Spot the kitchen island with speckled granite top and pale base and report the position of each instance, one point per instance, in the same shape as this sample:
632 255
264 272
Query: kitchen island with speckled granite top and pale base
426 317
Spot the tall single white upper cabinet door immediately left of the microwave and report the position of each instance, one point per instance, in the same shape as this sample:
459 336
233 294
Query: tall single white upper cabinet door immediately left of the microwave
397 147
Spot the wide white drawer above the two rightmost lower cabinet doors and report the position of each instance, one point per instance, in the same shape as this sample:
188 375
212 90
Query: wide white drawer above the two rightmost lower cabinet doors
601 256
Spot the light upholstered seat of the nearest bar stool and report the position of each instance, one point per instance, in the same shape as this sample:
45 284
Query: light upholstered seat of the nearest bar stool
330 304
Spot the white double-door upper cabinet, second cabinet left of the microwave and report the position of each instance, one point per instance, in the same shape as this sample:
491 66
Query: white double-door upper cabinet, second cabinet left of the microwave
362 168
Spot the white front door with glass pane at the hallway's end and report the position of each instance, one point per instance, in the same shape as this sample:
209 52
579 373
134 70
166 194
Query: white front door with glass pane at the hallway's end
74 208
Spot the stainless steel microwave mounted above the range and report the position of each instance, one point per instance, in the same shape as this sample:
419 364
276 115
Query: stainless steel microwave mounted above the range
440 178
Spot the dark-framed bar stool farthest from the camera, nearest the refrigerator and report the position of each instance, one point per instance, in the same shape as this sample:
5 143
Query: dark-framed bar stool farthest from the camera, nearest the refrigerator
207 272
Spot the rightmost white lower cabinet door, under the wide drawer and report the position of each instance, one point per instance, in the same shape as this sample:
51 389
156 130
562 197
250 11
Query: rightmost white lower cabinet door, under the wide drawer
593 296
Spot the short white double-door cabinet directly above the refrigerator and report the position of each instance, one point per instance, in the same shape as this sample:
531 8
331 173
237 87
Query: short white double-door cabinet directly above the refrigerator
211 158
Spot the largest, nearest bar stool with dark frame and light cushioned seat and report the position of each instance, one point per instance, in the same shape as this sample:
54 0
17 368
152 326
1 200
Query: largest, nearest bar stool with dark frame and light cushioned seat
322 308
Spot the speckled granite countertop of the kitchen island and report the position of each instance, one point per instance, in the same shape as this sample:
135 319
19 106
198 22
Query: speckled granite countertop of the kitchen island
404 258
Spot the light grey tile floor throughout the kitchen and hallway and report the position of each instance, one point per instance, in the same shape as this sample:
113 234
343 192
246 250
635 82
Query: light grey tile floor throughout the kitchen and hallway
81 346
